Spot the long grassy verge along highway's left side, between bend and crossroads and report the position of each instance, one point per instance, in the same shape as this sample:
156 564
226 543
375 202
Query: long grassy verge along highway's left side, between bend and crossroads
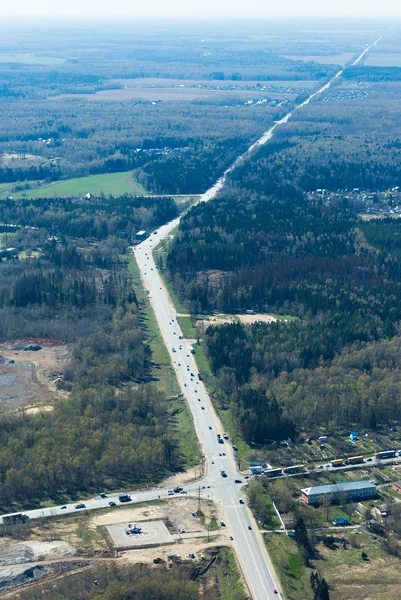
164 374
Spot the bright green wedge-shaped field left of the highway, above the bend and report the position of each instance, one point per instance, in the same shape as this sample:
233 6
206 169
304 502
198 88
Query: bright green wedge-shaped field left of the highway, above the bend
116 184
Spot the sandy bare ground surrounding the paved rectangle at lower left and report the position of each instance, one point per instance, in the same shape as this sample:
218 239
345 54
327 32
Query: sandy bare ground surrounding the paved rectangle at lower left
29 561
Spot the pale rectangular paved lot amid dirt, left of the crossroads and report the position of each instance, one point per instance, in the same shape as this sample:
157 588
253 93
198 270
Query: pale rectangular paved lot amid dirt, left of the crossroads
153 533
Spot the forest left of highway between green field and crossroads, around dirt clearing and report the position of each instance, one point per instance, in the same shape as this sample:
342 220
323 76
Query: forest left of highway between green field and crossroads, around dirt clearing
68 280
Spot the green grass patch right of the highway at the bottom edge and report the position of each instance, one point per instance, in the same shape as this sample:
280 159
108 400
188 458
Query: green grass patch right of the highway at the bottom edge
293 574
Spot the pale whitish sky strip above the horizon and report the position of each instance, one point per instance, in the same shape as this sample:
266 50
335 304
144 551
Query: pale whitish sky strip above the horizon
121 9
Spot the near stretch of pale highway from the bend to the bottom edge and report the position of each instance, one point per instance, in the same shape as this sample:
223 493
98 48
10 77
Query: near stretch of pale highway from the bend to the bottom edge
249 545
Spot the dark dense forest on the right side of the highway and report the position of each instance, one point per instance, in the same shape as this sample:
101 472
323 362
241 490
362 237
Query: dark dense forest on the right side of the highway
266 244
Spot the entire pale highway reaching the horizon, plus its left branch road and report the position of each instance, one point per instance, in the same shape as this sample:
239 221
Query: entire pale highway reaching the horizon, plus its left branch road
255 563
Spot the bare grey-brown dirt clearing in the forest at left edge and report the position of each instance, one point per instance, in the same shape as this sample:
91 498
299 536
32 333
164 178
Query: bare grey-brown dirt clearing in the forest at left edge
29 377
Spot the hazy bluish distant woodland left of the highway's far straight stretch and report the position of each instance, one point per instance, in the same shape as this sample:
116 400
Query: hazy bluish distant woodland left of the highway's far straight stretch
53 128
